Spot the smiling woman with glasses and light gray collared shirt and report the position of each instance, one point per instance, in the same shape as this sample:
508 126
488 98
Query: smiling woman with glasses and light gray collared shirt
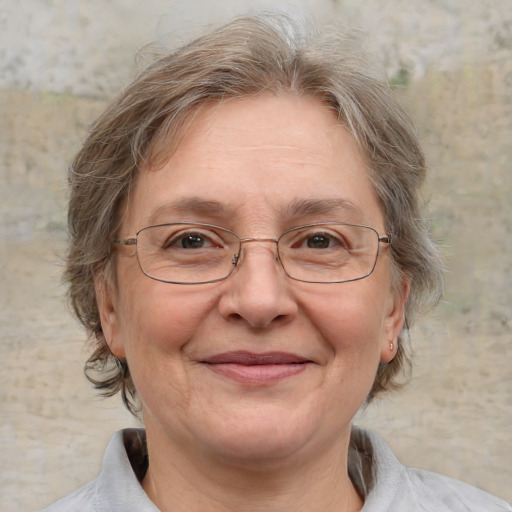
248 252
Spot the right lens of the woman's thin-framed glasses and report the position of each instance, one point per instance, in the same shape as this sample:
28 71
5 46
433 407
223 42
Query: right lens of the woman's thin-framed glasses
329 253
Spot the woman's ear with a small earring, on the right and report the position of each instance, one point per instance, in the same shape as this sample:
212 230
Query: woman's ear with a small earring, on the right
394 321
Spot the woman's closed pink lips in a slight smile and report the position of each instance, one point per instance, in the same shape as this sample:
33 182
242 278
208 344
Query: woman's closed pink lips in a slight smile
251 368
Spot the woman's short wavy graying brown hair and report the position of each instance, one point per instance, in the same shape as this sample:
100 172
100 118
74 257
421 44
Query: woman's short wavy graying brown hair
245 57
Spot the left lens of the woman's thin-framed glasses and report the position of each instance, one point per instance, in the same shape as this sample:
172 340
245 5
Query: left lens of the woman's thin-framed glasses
186 253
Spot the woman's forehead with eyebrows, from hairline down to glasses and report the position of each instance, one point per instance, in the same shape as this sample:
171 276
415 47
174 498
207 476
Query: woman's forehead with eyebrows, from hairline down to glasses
265 157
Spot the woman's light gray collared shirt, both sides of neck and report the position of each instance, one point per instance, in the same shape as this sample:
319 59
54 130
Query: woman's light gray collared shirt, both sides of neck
385 484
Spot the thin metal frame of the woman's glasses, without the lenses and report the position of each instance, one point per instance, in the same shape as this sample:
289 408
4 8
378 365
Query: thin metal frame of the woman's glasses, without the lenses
237 257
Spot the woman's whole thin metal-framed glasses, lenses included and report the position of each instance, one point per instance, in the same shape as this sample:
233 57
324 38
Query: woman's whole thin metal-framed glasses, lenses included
190 253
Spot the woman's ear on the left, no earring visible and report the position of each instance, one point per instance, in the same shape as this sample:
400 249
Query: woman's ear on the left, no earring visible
106 298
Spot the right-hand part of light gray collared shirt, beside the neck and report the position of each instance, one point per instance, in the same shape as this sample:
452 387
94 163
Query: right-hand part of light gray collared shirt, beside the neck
390 486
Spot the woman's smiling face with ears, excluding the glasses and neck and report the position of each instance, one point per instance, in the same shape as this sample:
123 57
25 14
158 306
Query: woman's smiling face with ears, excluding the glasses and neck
257 166
